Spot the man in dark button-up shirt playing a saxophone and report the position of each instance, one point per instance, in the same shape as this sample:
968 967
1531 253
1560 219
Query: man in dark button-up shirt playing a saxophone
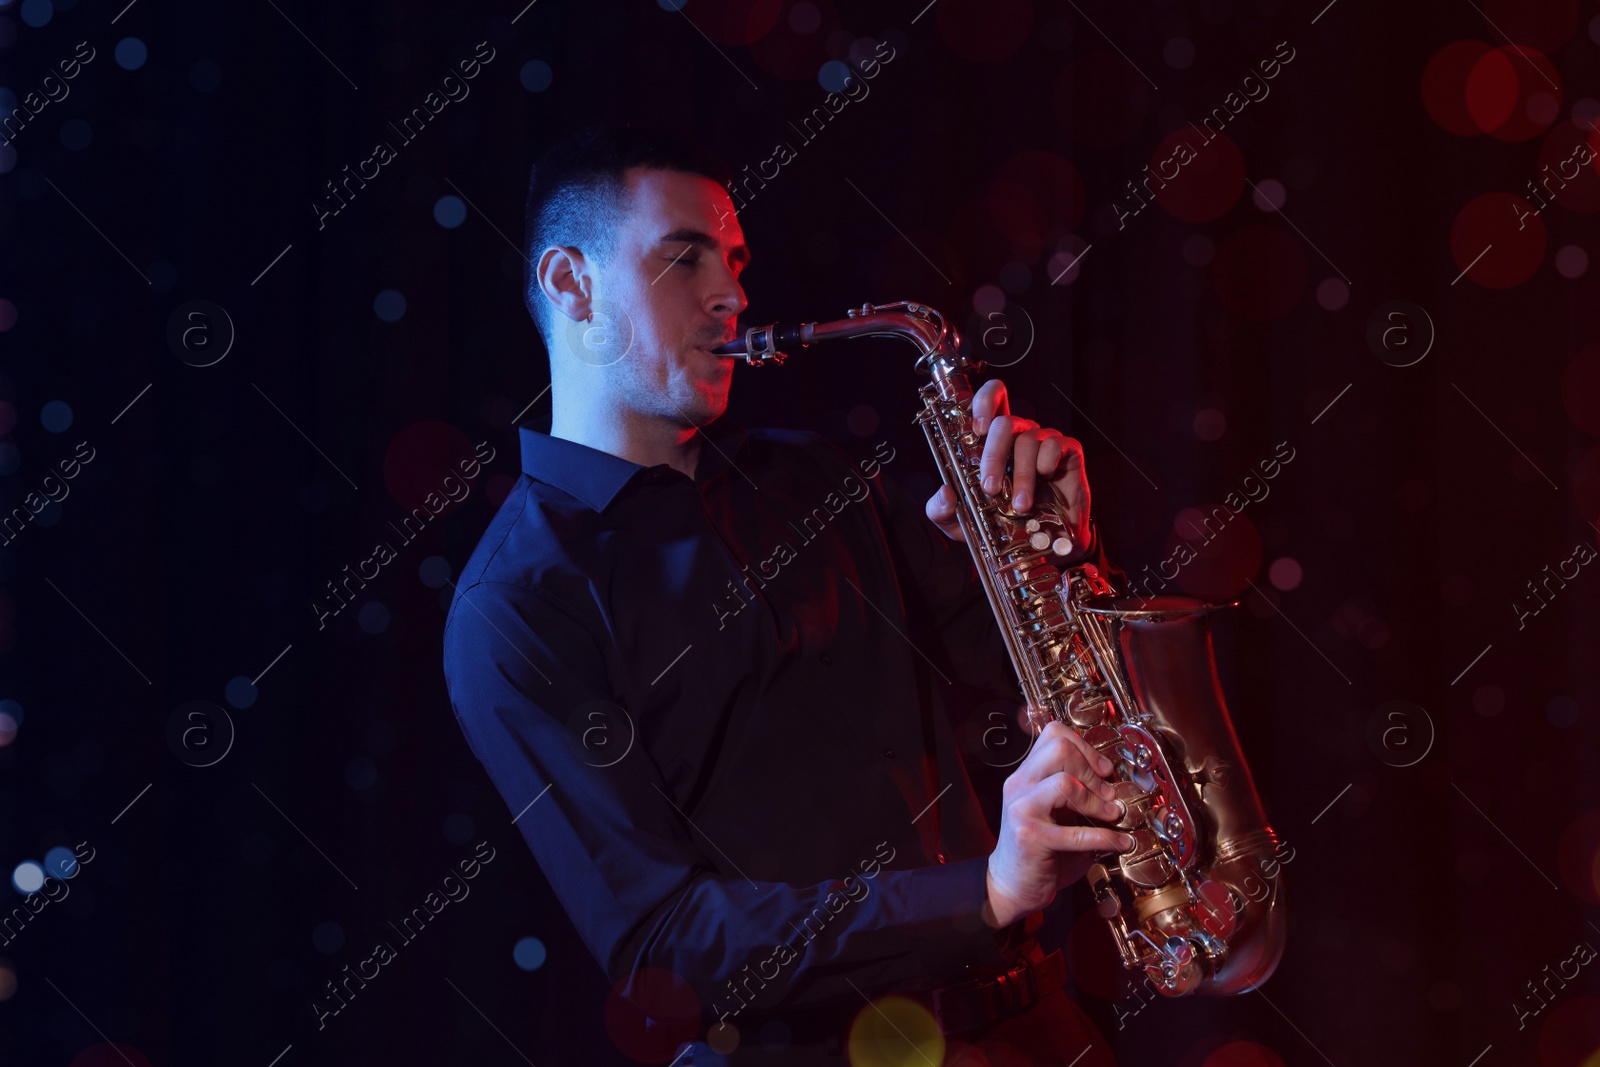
708 668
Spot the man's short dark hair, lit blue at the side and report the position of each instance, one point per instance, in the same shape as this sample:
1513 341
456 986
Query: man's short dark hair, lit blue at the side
577 194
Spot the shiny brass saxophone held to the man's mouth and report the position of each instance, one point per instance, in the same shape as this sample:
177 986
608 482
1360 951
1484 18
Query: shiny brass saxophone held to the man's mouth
1135 677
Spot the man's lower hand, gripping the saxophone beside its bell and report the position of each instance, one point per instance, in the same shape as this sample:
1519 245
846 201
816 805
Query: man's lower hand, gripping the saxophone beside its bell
1038 855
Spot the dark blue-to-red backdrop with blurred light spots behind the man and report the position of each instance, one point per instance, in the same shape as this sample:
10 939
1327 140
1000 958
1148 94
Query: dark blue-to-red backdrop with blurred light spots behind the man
217 508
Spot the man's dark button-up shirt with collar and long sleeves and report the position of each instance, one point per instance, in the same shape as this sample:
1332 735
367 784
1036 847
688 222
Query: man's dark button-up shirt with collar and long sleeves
718 709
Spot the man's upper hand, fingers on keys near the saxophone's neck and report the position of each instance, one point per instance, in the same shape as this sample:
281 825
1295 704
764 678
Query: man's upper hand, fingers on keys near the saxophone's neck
1038 455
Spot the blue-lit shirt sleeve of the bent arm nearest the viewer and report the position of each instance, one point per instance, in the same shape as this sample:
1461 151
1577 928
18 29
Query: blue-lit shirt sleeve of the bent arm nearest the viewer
644 890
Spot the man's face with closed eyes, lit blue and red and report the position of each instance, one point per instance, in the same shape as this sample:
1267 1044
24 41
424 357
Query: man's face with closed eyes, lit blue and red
676 276
